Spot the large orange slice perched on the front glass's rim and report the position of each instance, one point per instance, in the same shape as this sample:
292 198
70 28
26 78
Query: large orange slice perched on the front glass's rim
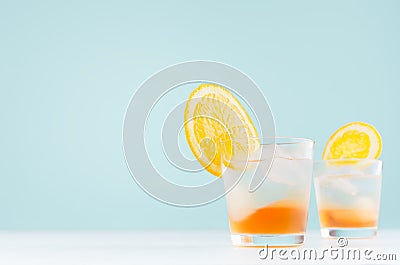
214 115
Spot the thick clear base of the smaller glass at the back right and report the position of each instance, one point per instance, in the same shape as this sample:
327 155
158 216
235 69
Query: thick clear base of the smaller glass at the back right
361 232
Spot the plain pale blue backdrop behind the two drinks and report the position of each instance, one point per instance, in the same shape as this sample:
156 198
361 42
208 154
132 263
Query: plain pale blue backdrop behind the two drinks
69 68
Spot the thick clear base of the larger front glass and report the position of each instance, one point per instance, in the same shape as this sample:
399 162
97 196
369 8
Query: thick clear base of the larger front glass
262 240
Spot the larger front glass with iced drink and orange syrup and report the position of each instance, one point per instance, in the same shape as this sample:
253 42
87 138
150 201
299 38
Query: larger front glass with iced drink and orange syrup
276 212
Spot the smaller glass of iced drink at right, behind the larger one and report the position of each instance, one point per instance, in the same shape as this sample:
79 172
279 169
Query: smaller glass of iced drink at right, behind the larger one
348 196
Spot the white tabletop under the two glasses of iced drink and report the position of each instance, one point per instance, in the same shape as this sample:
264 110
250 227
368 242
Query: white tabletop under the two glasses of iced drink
169 247
